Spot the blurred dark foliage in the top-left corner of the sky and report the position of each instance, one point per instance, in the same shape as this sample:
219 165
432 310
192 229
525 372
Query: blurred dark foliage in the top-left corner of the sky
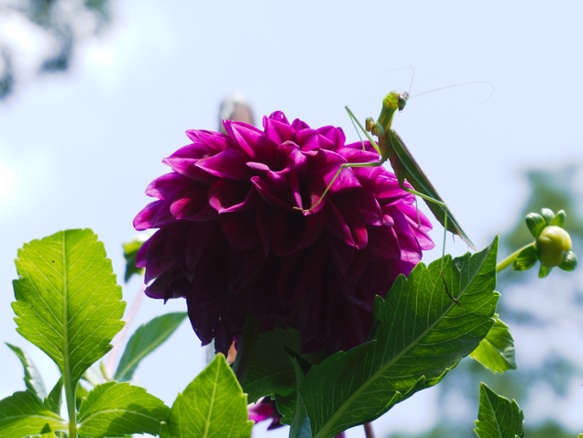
40 36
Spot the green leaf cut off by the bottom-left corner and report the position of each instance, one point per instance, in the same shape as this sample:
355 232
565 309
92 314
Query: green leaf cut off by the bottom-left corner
23 414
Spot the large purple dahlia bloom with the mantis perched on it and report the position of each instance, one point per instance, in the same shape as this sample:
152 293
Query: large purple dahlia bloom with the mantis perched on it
232 241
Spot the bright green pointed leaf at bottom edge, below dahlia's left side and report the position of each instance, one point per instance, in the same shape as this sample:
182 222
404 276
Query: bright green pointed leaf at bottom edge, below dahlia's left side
213 404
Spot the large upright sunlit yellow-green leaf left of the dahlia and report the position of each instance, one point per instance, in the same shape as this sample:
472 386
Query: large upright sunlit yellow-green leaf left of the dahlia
67 301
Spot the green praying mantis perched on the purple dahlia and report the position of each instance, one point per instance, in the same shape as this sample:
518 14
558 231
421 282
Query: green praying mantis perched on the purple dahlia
391 147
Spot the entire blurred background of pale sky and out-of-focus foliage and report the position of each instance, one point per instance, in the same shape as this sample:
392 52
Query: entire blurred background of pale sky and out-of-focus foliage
94 93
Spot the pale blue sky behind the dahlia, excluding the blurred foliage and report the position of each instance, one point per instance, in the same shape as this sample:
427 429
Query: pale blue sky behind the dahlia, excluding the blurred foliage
78 150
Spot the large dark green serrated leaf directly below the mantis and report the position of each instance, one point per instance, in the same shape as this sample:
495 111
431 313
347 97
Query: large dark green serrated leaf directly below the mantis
421 335
